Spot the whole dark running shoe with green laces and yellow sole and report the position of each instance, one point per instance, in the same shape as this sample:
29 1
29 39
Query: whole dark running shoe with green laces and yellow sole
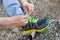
37 25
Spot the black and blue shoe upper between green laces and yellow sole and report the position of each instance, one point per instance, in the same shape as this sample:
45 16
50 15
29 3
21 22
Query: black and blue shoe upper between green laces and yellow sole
38 25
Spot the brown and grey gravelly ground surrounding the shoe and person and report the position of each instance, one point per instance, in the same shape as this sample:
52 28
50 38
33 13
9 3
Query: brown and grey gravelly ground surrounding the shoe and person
43 9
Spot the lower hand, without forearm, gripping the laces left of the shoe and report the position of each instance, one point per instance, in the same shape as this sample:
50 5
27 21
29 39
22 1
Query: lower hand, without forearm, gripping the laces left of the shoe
20 20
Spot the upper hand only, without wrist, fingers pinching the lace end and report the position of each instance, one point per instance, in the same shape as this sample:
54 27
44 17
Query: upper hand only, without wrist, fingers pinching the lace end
29 8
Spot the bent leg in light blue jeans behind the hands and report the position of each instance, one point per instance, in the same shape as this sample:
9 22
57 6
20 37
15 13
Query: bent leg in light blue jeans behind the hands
13 7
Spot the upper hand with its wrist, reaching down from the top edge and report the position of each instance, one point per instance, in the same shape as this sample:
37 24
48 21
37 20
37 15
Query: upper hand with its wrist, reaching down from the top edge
29 8
